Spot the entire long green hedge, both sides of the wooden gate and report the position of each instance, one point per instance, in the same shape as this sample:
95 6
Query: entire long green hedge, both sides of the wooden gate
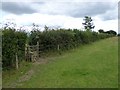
49 40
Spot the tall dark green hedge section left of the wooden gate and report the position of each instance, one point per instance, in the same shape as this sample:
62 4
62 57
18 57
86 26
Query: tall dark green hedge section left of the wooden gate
12 42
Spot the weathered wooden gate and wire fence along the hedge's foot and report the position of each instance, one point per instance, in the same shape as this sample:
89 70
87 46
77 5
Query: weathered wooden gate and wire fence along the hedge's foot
34 52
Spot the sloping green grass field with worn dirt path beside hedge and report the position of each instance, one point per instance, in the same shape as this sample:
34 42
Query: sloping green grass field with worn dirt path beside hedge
89 66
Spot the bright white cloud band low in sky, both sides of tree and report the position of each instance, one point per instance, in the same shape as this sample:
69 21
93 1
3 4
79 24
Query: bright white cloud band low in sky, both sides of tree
60 20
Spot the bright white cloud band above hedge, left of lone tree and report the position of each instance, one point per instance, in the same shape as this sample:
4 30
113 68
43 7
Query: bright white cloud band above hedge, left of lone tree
44 19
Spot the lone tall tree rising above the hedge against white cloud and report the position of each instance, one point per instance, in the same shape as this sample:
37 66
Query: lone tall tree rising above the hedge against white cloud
88 25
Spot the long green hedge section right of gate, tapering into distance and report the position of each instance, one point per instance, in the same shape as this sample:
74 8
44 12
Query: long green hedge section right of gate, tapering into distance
65 38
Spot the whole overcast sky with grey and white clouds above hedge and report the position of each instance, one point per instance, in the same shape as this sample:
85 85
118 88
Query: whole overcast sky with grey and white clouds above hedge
61 13
